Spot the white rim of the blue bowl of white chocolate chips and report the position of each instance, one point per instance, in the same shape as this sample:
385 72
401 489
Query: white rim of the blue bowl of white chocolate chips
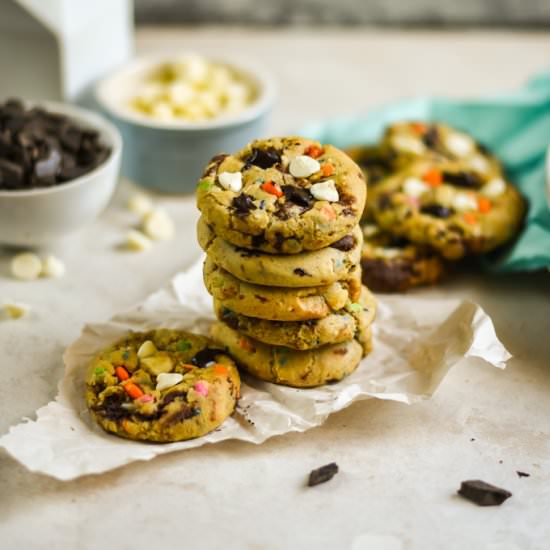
264 101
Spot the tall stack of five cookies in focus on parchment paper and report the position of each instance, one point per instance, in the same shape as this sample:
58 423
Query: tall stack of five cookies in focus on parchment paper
280 226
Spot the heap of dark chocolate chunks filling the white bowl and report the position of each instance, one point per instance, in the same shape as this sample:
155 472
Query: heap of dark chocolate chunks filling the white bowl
41 149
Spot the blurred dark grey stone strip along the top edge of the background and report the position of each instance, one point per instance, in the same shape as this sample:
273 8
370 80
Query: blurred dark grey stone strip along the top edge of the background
347 12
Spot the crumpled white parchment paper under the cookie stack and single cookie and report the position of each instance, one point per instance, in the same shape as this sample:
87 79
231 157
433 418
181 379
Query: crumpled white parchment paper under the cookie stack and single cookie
416 342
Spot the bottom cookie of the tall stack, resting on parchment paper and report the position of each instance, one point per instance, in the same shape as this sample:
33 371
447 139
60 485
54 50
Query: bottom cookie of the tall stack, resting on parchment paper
299 369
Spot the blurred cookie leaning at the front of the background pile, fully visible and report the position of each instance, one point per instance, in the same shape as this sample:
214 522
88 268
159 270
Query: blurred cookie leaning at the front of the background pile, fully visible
443 205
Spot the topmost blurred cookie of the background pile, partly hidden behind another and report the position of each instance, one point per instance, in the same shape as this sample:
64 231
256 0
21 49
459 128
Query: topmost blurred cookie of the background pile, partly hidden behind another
411 141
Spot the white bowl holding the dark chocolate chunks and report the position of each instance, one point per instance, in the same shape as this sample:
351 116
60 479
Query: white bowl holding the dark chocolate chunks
39 216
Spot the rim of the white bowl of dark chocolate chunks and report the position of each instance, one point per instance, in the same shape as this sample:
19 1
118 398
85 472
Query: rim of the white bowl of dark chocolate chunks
79 115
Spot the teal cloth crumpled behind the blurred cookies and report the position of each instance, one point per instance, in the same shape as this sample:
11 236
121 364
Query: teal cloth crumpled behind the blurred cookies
515 126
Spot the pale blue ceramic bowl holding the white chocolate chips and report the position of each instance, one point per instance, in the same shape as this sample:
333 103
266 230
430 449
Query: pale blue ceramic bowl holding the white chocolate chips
171 156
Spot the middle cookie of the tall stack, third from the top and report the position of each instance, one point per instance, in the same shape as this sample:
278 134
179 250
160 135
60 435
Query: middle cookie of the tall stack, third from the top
279 303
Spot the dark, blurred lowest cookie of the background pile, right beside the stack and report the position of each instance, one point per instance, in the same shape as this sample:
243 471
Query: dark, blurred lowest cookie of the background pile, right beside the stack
391 264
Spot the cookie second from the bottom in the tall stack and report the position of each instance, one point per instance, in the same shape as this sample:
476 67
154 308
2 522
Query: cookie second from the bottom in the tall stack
333 329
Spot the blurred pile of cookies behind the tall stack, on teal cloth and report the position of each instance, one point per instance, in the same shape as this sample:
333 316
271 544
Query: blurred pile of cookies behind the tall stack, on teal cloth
435 196
